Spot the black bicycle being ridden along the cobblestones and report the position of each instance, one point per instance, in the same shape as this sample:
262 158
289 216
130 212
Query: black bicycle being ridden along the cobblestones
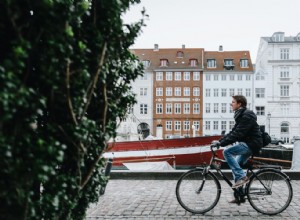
269 190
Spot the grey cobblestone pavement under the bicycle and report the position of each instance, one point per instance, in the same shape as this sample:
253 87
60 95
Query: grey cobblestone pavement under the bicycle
156 199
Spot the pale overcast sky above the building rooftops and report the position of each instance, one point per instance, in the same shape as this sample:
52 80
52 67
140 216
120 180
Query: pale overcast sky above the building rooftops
235 24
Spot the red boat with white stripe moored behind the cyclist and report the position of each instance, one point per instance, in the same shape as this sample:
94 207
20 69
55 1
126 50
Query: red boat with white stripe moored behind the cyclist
178 153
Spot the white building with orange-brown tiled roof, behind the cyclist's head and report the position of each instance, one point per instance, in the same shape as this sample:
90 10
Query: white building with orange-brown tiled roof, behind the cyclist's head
226 73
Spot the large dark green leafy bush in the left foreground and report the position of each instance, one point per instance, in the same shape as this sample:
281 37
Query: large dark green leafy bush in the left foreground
65 69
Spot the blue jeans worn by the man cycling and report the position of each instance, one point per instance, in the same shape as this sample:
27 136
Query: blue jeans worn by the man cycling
235 156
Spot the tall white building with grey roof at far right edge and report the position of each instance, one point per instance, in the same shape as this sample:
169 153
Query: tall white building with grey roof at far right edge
277 85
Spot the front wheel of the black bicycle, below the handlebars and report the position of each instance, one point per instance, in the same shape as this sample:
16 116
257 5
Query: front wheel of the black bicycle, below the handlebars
198 193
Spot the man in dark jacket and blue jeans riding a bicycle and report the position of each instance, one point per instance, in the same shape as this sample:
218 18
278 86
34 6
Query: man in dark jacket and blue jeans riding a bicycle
245 137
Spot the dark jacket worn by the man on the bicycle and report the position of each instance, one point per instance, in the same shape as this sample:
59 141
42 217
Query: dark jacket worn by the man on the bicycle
245 130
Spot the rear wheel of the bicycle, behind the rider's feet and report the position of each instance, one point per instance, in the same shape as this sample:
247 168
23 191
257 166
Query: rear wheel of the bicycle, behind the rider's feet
269 192
